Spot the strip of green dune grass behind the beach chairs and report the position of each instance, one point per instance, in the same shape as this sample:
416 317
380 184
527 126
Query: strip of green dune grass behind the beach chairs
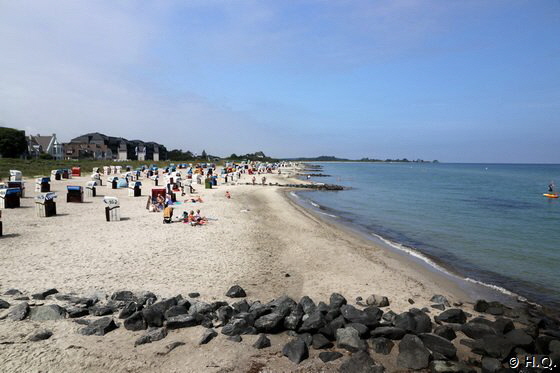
32 168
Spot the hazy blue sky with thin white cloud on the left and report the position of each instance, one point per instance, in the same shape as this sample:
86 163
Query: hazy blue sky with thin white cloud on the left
457 81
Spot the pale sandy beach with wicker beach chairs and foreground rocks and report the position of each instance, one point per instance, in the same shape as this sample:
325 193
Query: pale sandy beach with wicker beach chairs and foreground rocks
258 239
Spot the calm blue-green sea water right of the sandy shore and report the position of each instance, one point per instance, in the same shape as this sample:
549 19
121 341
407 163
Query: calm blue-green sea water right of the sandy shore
485 222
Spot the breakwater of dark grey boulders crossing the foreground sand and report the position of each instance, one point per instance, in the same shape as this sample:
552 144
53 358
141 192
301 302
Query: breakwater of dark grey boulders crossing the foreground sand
418 339
